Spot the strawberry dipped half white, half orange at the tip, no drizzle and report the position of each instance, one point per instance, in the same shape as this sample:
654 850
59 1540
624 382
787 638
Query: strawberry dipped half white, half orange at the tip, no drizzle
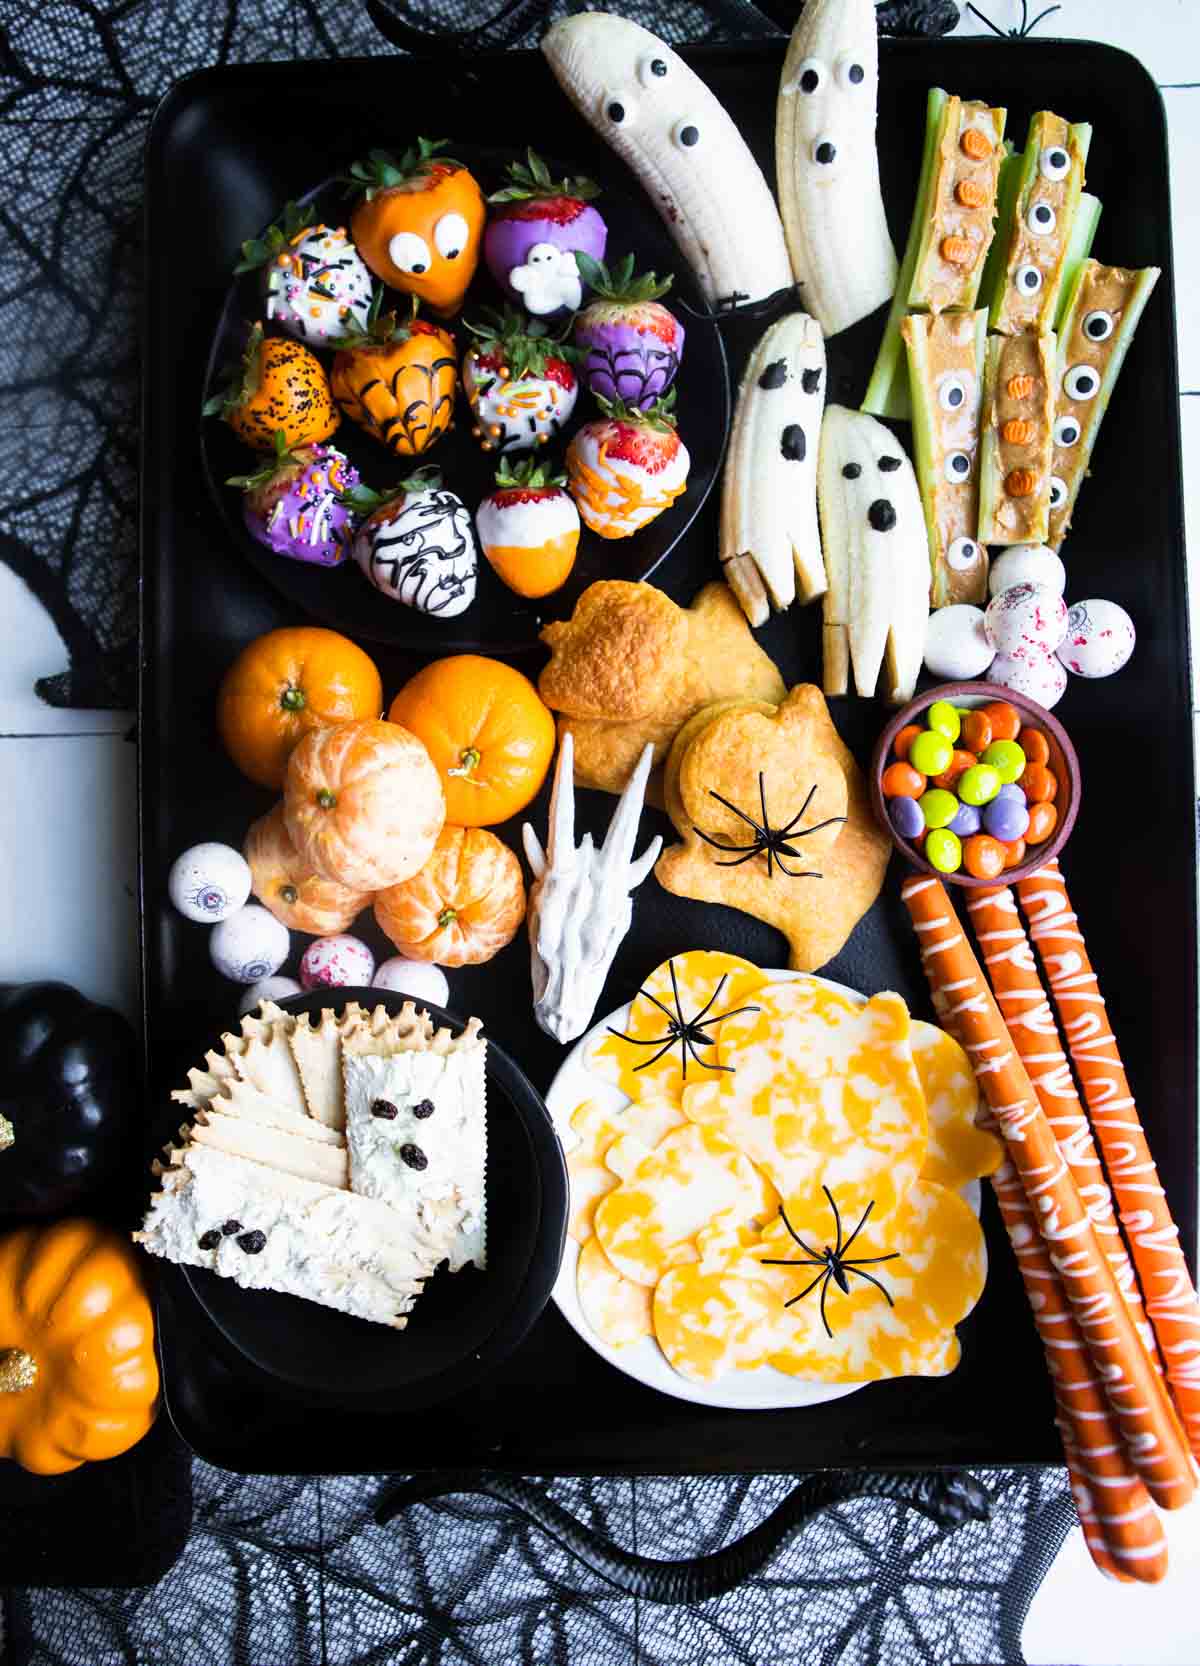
529 529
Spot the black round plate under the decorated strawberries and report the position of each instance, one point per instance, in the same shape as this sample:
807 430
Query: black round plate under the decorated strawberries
497 621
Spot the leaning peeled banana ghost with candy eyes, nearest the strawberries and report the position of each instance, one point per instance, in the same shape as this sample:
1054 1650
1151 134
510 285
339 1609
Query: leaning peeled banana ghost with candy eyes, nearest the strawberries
684 147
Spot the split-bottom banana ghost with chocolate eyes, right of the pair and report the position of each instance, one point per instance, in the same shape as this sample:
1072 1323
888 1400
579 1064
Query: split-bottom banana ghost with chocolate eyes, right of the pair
876 559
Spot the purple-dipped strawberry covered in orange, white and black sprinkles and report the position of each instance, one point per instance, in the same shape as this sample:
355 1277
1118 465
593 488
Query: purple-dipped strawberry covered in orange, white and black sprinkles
294 504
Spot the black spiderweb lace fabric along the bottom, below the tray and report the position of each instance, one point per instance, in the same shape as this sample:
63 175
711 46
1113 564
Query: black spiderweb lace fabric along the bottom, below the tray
294 1574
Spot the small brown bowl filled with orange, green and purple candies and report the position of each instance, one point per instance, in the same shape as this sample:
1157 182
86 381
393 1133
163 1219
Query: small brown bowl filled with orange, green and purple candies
972 789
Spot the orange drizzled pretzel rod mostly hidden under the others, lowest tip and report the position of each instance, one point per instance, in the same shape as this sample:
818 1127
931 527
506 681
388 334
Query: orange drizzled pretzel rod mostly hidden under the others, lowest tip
1121 1529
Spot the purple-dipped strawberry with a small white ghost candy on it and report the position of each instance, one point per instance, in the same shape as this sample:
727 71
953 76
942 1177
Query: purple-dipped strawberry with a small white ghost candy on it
534 234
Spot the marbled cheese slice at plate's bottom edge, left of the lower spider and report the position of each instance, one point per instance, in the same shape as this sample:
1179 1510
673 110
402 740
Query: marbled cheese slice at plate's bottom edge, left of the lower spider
719 1314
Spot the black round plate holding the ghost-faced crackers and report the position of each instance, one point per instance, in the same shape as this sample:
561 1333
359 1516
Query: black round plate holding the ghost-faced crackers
464 1324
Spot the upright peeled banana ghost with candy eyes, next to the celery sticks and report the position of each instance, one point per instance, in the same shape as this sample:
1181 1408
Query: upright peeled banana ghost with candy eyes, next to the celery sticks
827 164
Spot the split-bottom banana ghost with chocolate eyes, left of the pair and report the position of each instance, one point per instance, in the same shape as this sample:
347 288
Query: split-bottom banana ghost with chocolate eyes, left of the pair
769 539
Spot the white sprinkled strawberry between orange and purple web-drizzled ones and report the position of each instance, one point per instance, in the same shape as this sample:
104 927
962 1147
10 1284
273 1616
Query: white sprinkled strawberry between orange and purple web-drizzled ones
519 382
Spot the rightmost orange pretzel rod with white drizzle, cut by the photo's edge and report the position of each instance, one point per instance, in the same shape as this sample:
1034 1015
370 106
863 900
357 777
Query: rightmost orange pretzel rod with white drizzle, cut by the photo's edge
1171 1297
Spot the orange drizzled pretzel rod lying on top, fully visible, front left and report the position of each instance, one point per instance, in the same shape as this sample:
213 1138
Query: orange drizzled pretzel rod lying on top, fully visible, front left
1136 1395
